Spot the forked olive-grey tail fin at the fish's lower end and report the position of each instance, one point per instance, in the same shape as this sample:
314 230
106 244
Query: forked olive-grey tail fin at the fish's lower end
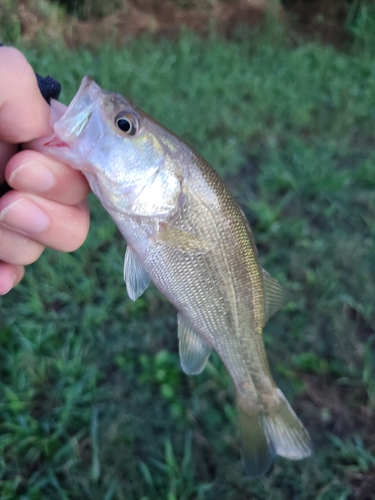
264 435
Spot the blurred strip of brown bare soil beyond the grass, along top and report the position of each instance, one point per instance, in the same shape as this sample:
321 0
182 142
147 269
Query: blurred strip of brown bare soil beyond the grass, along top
126 19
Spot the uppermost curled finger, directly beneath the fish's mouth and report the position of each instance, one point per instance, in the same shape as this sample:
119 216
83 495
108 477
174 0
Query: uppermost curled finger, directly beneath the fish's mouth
33 172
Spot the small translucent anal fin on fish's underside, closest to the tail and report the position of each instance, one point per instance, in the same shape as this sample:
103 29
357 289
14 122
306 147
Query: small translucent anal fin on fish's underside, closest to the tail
194 351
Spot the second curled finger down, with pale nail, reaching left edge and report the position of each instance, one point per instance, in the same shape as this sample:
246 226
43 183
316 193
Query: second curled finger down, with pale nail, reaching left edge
52 224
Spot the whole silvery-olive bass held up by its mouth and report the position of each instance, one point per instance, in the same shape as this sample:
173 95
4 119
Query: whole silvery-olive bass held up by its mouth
186 233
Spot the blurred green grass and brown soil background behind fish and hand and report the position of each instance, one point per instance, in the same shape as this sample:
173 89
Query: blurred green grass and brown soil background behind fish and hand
280 98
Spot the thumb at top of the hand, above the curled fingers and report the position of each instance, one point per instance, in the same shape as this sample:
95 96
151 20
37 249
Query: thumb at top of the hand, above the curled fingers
24 114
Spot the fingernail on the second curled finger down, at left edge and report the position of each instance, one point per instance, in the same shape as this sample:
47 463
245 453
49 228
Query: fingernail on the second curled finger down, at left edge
24 215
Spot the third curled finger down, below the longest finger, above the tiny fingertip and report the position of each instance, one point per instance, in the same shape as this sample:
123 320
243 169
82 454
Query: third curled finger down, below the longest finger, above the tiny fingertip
17 249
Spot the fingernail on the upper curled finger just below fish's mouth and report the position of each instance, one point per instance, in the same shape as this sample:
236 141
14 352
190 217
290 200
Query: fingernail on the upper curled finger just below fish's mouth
33 177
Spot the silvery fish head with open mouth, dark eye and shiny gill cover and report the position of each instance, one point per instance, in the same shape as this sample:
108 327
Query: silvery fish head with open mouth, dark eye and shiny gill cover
117 146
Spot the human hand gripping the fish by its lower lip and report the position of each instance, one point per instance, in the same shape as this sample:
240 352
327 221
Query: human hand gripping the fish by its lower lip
47 205
